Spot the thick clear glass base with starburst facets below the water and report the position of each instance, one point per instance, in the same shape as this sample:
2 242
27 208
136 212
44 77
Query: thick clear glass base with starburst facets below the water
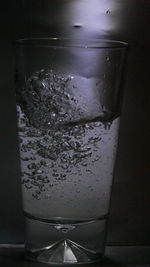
65 243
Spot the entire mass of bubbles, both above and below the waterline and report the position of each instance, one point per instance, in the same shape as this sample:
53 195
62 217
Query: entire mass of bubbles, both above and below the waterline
52 145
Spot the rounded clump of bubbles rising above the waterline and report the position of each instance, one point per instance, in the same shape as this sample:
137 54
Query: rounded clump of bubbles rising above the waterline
45 101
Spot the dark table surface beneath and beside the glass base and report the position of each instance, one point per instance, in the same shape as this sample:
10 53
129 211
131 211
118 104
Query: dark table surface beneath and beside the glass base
136 256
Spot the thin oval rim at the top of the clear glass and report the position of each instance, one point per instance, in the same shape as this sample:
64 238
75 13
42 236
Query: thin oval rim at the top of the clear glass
58 42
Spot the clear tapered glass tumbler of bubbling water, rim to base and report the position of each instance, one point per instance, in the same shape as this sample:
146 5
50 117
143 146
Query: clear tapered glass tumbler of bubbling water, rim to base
68 96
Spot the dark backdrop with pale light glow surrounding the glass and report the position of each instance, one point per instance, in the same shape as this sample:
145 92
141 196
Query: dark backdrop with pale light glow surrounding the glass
126 20
